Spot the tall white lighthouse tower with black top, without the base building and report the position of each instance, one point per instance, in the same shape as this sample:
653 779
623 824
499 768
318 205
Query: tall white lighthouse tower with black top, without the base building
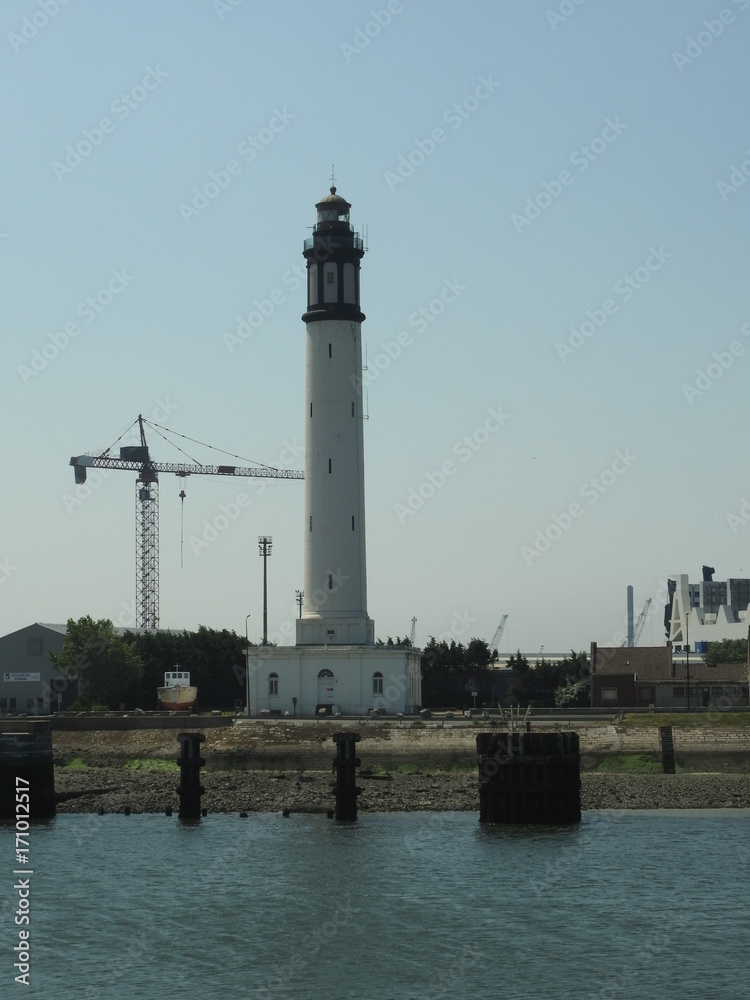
335 593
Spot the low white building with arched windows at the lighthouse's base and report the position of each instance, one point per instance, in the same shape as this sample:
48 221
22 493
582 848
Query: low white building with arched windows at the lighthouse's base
351 680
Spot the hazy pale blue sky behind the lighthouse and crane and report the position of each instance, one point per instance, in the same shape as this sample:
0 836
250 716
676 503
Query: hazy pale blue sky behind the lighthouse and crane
568 177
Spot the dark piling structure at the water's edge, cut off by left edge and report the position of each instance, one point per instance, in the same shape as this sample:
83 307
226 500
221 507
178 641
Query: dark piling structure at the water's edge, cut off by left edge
26 767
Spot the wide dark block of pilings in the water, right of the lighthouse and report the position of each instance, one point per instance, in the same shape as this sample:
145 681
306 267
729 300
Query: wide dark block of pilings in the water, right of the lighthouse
529 777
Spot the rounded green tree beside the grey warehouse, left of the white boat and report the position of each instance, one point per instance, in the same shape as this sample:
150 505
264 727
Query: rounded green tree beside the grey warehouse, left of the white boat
107 667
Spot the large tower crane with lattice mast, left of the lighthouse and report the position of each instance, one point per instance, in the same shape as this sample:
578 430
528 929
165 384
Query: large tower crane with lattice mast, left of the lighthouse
136 458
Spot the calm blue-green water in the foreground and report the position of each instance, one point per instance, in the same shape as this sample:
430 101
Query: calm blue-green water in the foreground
413 906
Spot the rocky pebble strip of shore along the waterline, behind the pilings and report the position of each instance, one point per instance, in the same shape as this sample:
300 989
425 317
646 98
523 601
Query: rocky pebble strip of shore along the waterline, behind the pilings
115 789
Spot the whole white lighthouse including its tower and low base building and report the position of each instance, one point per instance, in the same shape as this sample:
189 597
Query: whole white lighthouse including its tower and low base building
336 665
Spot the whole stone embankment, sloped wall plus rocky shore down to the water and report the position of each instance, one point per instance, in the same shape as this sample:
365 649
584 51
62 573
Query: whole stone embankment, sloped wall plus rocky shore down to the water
271 766
